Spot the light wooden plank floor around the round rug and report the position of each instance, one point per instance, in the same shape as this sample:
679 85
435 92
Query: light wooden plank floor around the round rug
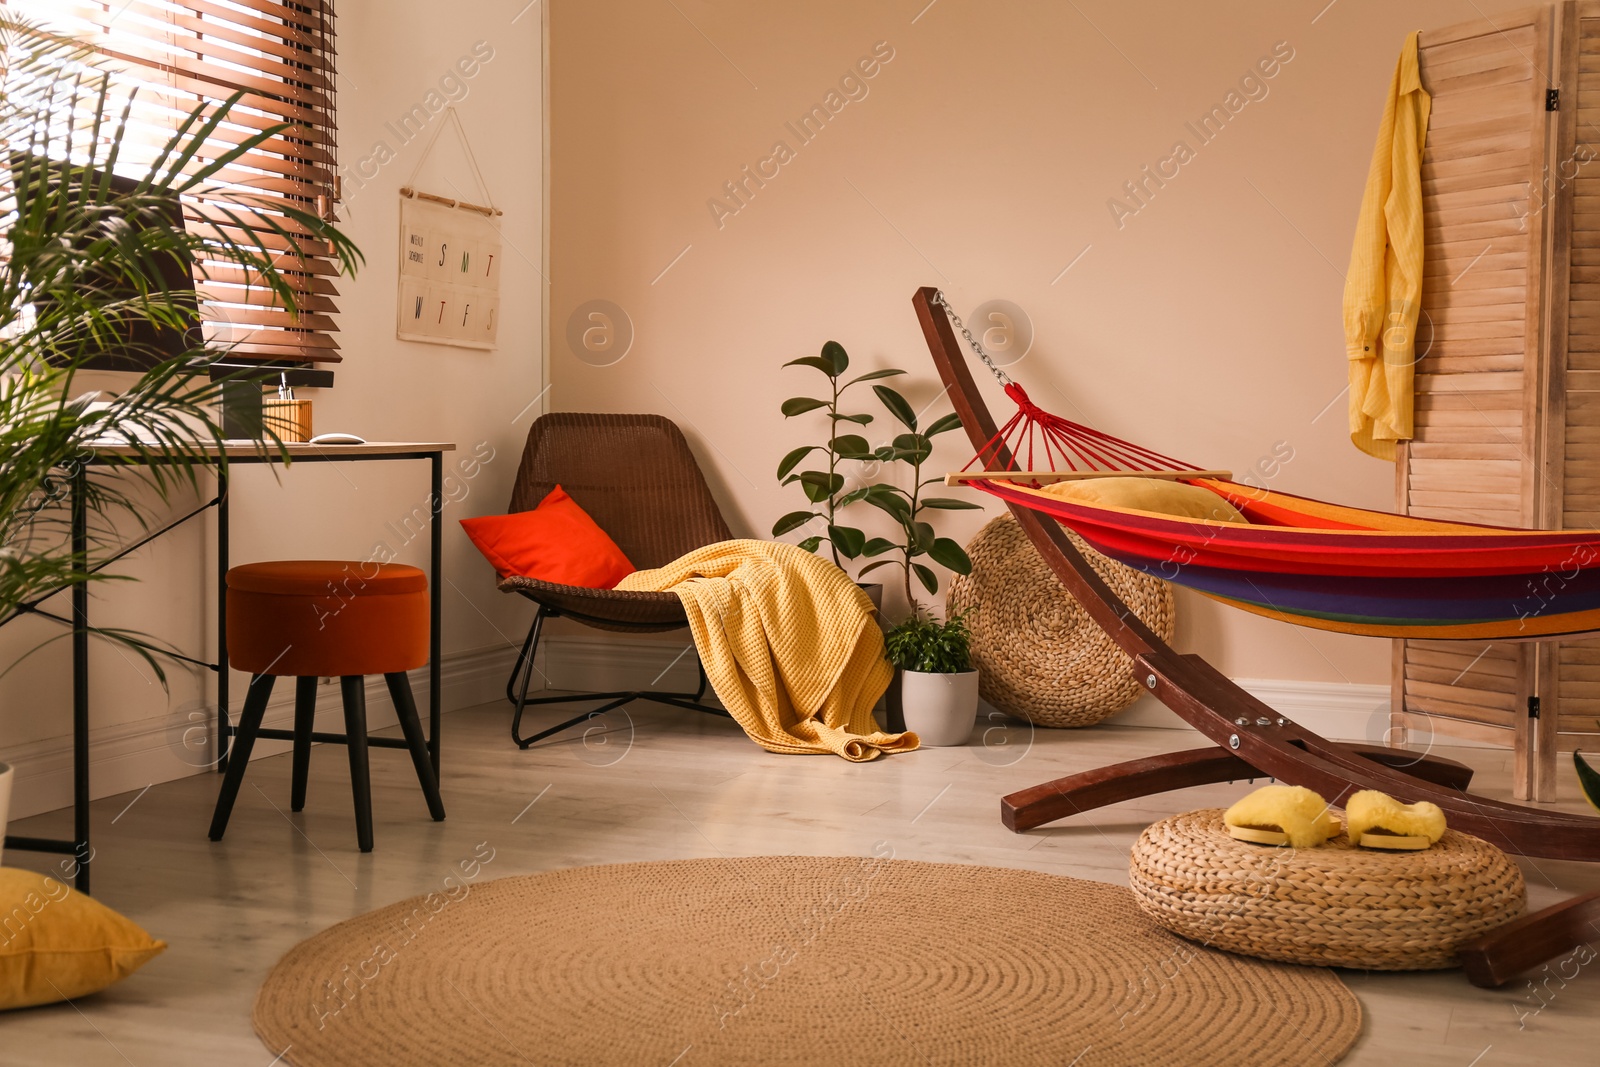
673 785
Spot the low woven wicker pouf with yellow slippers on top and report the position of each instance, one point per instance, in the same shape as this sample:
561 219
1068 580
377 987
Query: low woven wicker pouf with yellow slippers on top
1329 906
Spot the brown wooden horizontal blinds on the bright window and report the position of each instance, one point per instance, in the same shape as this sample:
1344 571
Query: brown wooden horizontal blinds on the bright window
281 55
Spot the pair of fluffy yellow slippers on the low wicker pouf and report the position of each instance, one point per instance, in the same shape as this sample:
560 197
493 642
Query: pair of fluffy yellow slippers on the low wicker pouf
1300 818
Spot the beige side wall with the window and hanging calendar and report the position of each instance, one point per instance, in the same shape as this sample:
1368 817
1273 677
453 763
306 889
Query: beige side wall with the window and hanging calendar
393 54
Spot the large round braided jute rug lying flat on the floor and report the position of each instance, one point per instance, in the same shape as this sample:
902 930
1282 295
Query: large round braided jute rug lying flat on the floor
788 961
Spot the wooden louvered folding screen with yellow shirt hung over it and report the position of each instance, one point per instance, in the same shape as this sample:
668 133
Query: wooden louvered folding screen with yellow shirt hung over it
1508 409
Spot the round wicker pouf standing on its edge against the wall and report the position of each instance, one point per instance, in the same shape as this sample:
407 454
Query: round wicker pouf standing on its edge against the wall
1038 652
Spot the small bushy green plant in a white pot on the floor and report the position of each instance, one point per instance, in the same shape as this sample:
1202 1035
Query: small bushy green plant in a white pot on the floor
937 677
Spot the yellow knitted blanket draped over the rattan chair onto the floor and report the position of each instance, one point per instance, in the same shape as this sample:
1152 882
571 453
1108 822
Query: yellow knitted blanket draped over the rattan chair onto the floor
790 644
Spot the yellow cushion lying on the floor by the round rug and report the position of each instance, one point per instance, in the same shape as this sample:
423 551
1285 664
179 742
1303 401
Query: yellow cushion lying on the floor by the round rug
58 945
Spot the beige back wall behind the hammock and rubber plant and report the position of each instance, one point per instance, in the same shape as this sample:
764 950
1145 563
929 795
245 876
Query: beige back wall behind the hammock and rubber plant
983 161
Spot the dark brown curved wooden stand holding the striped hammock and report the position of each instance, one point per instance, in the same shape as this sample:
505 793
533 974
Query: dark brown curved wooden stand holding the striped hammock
1250 740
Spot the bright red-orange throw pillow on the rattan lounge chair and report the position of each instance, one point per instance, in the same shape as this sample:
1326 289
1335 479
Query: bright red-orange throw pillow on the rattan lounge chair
554 543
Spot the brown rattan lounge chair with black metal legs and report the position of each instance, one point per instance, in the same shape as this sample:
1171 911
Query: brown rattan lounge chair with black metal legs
636 478
